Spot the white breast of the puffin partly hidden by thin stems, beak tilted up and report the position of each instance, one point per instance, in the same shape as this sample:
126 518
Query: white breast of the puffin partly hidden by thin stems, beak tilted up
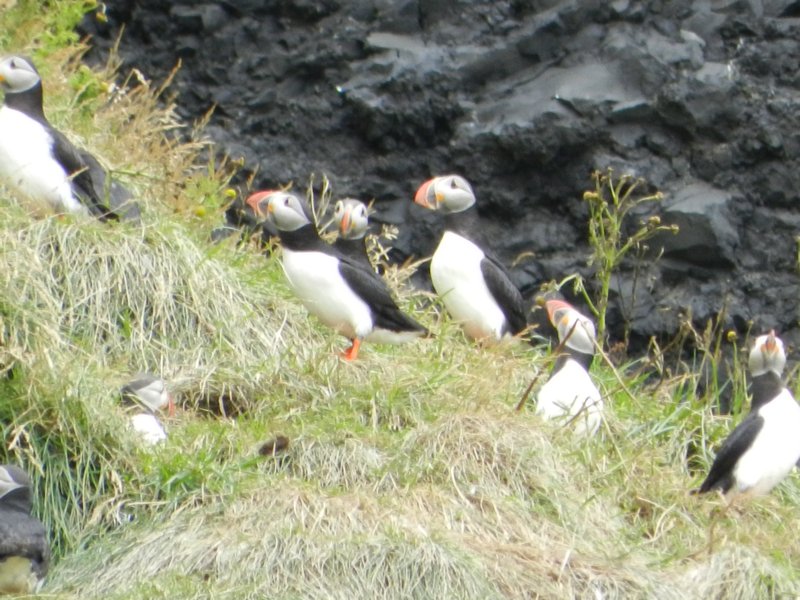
570 392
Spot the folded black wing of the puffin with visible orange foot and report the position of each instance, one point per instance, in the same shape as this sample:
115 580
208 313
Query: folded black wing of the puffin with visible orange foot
369 286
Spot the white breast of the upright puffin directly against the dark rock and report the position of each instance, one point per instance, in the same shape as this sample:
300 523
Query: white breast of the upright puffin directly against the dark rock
458 280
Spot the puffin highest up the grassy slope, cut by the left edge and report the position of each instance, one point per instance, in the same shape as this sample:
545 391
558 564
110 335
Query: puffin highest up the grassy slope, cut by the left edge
41 163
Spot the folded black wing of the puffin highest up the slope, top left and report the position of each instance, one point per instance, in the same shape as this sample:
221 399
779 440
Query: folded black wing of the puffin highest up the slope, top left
105 199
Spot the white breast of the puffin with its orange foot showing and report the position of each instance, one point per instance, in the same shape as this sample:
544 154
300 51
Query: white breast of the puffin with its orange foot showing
315 280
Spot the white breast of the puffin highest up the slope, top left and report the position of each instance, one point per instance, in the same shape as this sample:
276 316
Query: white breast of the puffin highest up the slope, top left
26 163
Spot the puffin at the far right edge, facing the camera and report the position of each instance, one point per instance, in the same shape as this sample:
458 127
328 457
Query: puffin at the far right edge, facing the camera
761 451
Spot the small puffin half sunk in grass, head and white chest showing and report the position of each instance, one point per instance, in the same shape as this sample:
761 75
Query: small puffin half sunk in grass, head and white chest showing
144 396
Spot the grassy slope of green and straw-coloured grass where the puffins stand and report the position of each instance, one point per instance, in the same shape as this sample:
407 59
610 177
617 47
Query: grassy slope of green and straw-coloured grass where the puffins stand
409 473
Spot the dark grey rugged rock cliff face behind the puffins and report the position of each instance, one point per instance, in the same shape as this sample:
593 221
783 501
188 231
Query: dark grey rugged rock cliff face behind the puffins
524 98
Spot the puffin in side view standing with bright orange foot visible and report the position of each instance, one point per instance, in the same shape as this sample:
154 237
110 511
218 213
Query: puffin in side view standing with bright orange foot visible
342 294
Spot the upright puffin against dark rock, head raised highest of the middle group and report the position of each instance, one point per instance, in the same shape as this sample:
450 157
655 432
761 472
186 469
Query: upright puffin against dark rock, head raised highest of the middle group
474 286
